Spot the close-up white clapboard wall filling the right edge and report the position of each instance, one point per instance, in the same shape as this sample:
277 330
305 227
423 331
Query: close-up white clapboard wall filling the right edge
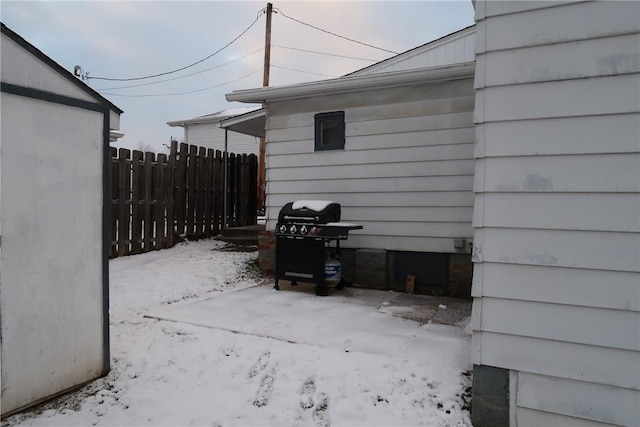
557 208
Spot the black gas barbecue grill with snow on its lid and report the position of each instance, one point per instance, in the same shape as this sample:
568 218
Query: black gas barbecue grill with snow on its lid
304 233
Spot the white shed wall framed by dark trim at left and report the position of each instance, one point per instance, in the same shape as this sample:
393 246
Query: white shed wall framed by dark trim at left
51 216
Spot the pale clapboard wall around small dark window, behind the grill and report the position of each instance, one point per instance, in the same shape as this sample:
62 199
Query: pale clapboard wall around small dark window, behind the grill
406 172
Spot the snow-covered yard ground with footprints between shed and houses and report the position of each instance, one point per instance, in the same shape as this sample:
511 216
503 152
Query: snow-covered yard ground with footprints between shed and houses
218 351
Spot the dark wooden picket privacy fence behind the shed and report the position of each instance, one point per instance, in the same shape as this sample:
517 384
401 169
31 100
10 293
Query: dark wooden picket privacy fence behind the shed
157 201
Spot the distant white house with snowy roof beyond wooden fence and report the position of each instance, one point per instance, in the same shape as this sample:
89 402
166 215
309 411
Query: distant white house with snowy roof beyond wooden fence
204 131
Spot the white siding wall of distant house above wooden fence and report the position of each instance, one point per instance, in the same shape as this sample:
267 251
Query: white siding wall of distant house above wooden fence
209 135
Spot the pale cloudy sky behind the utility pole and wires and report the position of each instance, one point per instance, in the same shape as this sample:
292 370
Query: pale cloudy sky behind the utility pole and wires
137 38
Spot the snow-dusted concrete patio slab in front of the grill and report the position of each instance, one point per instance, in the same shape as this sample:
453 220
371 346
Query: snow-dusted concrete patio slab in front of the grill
351 319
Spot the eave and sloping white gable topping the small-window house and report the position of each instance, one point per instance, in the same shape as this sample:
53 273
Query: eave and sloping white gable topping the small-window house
411 67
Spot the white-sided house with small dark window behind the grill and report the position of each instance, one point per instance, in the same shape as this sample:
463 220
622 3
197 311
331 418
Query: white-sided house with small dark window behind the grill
393 144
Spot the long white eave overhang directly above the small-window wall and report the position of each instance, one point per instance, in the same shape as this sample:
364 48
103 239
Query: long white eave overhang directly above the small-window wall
354 84
